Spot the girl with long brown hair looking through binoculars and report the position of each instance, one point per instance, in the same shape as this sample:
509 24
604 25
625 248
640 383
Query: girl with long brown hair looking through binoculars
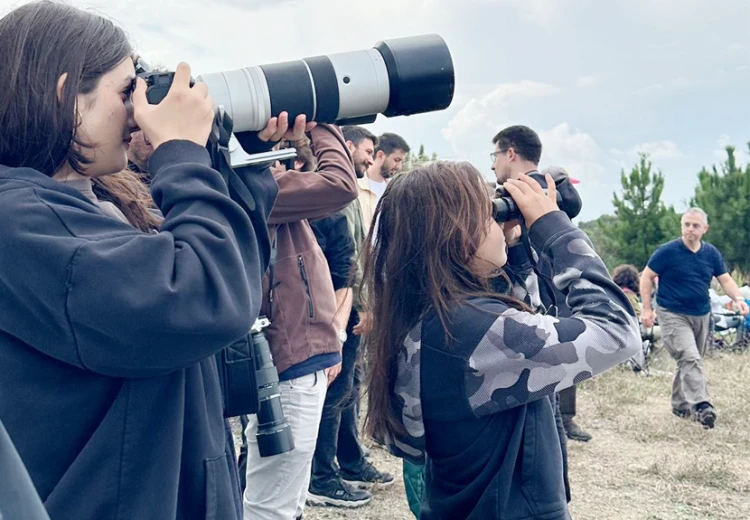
462 372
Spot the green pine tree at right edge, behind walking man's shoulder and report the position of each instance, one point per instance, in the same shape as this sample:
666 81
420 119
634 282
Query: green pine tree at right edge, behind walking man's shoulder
724 194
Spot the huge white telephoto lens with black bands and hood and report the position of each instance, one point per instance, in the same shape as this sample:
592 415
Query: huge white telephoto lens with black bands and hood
397 77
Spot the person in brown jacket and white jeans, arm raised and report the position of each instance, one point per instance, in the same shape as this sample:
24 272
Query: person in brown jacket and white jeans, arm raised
299 300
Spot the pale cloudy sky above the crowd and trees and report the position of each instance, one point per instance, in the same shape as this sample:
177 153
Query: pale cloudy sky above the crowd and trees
600 81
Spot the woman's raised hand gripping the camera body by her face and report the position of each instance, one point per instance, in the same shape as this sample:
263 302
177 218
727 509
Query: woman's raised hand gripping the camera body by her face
184 114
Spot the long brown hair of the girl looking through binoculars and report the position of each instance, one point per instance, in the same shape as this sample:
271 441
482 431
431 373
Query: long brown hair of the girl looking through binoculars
430 223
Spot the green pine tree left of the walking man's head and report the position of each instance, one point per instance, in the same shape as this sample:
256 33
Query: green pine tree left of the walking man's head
642 221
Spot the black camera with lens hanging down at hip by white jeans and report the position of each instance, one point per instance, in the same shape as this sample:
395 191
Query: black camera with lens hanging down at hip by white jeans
250 384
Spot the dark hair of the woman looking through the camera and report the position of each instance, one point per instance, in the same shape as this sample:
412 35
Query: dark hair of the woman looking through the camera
39 42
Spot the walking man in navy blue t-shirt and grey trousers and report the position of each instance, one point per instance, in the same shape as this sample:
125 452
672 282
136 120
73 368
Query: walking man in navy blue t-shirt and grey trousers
685 268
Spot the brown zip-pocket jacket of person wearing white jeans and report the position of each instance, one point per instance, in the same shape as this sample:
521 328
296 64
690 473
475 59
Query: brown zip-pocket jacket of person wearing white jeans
302 305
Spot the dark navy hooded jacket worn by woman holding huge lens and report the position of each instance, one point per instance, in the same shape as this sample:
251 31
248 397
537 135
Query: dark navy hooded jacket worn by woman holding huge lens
108 383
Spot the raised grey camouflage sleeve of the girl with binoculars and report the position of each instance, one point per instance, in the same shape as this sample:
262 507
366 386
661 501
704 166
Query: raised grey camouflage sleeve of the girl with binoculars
525 356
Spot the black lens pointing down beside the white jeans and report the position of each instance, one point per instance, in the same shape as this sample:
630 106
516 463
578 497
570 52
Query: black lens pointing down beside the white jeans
274 432
